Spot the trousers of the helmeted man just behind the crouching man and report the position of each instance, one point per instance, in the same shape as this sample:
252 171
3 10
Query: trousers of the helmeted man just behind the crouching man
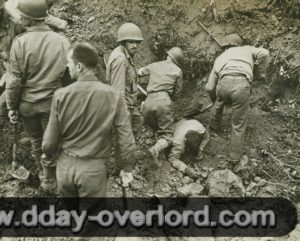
158 114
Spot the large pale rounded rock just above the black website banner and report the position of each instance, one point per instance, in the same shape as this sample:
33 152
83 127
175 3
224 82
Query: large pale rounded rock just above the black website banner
224 183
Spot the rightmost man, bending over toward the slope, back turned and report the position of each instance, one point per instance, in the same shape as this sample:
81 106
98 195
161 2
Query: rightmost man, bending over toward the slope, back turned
230 82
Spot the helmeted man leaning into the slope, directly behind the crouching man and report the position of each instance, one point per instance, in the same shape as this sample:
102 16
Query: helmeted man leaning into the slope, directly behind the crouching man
165 84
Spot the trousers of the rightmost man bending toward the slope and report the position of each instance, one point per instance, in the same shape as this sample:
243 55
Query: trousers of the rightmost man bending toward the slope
235 91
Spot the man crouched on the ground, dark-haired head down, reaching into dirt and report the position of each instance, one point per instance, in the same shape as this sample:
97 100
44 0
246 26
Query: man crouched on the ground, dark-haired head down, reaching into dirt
190 136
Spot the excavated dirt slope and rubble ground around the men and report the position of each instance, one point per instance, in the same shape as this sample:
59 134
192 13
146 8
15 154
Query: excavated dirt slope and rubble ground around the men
272 141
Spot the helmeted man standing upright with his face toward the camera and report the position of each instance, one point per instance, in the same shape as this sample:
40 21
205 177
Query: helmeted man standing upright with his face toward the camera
121 71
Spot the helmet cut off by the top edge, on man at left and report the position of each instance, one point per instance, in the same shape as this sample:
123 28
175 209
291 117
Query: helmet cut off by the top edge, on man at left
33 9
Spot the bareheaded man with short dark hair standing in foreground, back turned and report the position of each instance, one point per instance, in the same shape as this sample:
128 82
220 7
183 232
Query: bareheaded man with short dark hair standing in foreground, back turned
83 145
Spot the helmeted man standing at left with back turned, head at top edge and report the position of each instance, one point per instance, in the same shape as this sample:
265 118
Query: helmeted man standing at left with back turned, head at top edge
36 68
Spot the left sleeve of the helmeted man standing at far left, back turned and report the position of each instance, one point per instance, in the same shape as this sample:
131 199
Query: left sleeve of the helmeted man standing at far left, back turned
14 78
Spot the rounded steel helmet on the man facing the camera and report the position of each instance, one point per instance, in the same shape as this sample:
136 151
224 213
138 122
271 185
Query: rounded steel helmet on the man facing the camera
129 31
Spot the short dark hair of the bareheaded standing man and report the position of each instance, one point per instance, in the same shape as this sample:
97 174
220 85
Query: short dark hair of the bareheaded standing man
86 54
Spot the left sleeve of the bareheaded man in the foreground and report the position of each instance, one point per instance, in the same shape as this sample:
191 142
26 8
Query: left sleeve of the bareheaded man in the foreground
51 138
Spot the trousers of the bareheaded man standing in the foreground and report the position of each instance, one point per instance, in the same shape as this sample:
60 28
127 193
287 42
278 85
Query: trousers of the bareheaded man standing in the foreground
82 178
